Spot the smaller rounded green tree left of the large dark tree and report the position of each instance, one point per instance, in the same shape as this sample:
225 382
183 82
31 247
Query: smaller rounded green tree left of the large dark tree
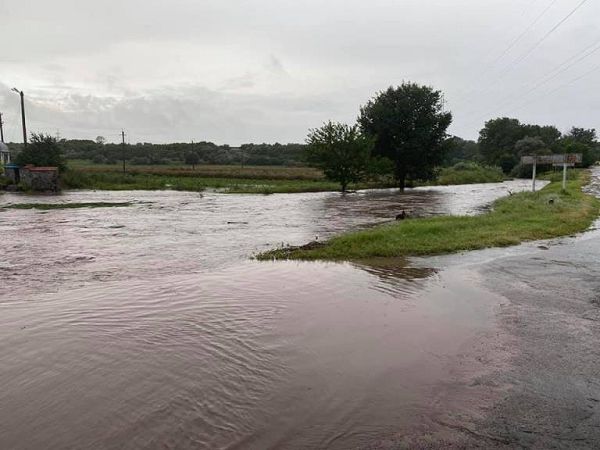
341 151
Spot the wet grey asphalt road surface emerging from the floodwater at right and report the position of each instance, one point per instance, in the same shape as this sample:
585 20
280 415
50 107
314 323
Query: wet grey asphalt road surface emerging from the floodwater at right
535 381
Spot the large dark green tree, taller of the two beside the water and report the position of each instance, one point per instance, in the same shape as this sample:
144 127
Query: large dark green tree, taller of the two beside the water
408 124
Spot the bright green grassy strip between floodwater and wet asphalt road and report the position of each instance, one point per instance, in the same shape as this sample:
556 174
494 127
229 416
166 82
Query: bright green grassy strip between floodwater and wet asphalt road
521 217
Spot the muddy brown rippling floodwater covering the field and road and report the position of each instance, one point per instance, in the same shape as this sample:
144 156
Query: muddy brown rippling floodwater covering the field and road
150 326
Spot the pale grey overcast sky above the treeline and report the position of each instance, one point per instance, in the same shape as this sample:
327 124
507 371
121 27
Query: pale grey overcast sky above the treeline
240 71
